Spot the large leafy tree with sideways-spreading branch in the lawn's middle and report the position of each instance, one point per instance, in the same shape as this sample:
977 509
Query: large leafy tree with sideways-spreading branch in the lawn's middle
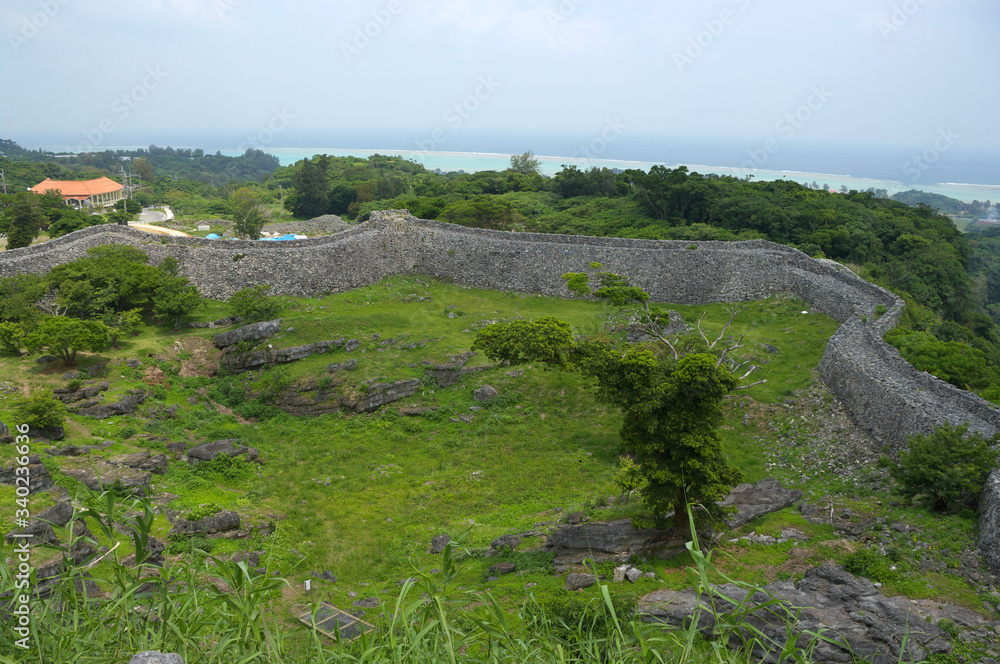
671 408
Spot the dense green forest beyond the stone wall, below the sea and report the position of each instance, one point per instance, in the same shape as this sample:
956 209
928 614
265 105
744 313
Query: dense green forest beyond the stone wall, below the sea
949 280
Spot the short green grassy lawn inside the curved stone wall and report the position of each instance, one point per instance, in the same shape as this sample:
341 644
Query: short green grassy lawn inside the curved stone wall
362 495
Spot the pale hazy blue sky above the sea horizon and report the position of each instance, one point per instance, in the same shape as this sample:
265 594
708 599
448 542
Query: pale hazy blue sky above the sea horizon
758 76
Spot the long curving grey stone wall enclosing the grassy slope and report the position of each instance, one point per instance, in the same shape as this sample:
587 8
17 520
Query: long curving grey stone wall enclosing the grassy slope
882 391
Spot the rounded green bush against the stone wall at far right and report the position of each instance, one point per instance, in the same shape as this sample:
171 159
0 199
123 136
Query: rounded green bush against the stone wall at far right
946 469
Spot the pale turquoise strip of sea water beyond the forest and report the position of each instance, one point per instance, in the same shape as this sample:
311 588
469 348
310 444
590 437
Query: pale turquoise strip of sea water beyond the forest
483 161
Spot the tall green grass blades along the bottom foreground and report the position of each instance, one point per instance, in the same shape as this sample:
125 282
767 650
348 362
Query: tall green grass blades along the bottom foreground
221 612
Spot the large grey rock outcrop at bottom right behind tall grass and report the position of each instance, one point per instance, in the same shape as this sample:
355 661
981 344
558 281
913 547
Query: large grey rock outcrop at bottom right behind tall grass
850 611
